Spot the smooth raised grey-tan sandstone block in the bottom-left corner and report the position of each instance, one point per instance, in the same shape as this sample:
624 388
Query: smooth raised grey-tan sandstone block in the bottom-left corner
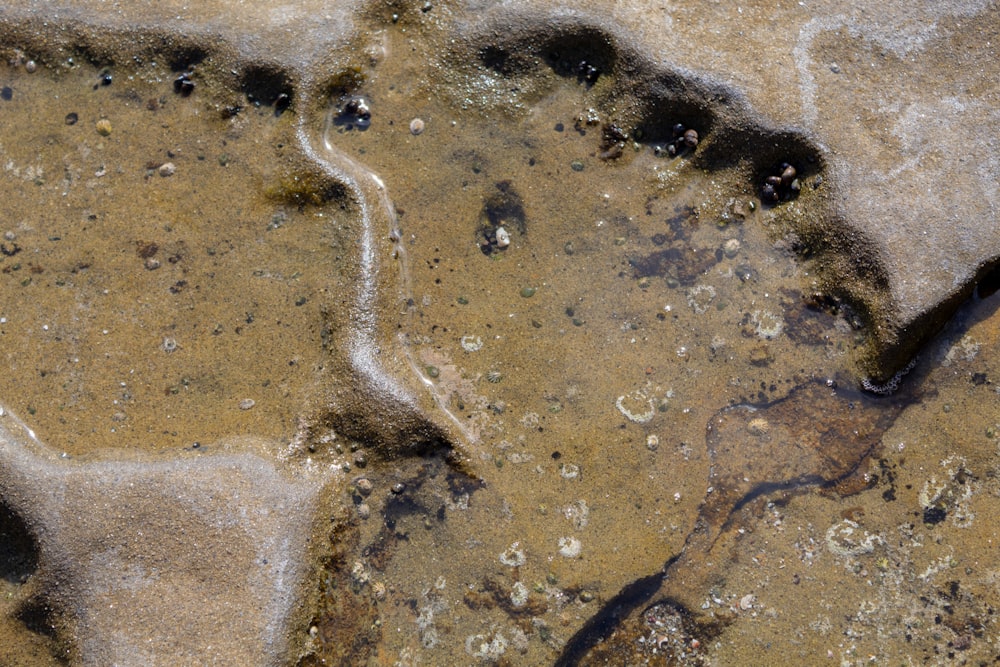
166 562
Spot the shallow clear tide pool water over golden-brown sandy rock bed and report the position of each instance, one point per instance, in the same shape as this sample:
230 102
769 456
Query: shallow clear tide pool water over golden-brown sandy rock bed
588 366
